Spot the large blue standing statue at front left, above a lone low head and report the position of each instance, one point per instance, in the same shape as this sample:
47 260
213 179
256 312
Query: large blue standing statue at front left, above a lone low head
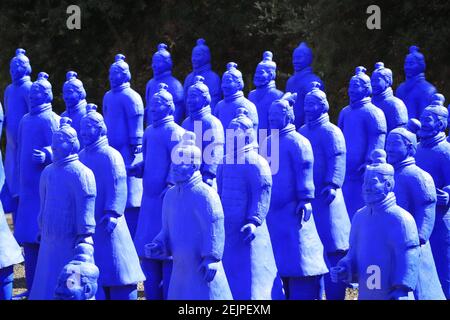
66 218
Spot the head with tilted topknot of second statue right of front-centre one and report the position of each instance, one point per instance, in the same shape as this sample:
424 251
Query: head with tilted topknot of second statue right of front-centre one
281 111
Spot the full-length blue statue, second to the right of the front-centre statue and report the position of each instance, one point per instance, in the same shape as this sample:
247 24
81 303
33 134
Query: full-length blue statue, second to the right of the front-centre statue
296 244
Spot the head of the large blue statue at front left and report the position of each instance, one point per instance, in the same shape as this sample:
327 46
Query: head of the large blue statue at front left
65 141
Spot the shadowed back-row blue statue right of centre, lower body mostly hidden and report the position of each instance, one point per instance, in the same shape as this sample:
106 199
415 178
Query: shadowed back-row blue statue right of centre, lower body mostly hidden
301 81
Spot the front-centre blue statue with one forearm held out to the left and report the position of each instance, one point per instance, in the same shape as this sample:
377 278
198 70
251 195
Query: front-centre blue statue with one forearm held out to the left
192 230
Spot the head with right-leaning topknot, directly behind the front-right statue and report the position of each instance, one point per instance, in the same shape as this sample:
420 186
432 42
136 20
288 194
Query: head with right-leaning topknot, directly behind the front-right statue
401 143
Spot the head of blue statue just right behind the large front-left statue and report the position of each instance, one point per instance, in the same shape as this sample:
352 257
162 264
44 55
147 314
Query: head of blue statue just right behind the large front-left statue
92 126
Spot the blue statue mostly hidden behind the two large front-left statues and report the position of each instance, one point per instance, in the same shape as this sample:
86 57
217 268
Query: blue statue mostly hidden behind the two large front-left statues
74 97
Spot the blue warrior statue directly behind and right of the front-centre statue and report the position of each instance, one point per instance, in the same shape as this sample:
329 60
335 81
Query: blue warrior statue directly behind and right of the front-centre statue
244 183
